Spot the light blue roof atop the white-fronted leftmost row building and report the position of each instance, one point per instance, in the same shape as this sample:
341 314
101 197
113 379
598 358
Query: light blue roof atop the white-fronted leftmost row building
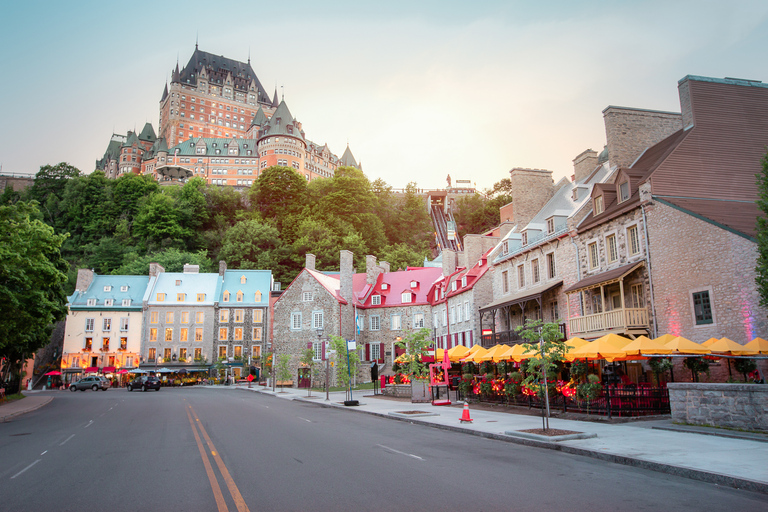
115 288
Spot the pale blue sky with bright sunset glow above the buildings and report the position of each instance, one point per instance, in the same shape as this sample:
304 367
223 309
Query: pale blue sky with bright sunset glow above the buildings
418 89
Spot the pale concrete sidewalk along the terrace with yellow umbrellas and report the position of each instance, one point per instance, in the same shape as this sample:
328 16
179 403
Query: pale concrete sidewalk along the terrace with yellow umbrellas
732 459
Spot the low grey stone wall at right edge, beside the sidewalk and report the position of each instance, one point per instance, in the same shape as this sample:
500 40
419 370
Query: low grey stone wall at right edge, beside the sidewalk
742 406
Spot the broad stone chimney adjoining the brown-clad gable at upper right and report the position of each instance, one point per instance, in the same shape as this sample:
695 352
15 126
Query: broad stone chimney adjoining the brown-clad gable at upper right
629 131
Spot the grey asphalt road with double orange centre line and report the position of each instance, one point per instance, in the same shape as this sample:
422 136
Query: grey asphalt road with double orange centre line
211 449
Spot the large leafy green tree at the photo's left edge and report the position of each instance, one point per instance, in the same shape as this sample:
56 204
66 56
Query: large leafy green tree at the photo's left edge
32 273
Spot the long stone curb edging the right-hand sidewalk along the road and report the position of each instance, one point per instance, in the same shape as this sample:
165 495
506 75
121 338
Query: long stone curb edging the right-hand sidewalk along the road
670 469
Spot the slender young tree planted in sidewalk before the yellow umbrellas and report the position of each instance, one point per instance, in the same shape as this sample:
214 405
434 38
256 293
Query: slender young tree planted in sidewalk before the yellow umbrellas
546 340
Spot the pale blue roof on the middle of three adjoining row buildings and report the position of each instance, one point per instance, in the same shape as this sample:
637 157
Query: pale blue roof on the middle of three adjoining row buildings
174 283
